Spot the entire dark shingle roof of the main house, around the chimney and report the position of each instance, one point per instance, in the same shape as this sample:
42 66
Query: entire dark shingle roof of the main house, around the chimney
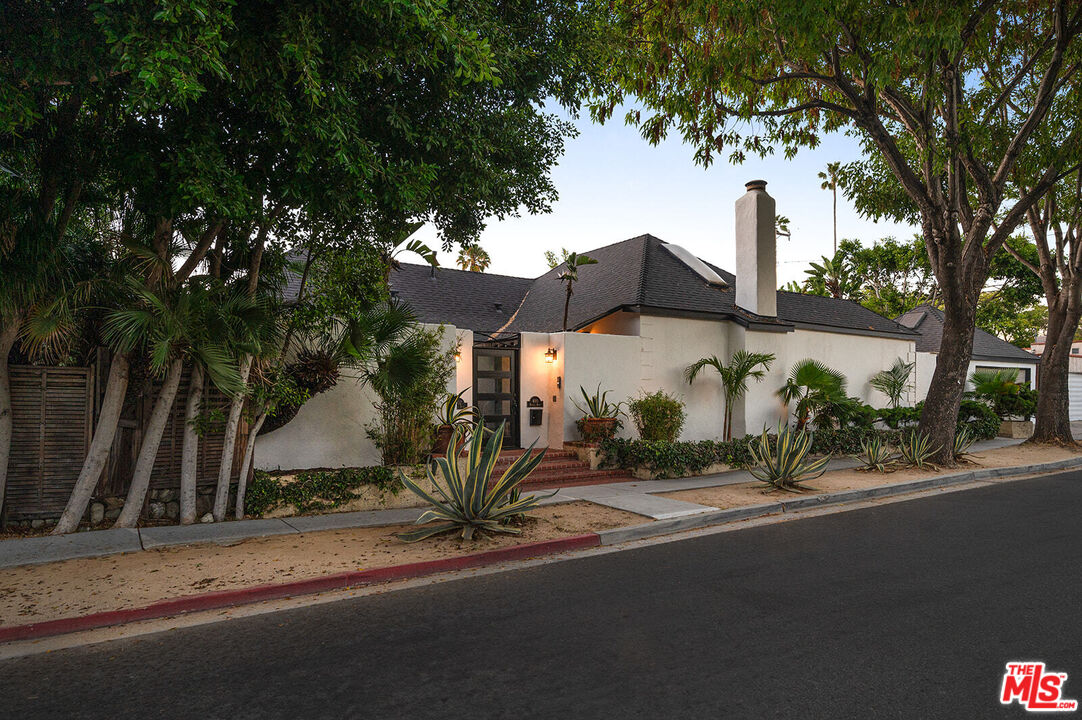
637 274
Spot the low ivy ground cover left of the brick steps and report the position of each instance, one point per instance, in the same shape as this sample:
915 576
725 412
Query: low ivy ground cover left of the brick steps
316 491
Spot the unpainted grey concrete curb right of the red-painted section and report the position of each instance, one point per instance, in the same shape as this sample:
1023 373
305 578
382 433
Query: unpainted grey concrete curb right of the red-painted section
618 535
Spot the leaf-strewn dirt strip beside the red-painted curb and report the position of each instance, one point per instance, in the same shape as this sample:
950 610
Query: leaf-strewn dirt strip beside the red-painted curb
80 587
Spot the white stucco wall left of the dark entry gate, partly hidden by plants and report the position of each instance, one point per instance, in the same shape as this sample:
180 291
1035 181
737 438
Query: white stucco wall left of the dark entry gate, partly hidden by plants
329 430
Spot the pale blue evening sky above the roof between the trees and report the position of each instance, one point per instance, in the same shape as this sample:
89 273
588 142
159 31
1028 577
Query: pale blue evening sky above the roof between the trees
615 186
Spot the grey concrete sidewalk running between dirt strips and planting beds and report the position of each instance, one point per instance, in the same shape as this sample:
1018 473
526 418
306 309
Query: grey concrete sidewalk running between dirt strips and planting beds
638 498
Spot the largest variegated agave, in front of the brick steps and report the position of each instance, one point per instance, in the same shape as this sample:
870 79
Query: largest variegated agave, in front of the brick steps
469 502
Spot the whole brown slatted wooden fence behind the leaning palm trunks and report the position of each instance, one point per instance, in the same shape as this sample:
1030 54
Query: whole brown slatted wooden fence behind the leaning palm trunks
54 413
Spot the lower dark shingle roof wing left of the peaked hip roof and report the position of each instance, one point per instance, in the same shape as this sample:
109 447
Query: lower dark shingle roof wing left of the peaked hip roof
477 302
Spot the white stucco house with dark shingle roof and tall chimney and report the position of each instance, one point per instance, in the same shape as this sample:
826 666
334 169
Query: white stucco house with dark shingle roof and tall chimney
638 319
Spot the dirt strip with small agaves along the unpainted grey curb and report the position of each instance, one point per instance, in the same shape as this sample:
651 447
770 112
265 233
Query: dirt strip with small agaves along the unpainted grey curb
737 496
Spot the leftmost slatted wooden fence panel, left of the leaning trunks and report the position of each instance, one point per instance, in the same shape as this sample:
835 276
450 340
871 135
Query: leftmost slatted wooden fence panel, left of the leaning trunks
52 417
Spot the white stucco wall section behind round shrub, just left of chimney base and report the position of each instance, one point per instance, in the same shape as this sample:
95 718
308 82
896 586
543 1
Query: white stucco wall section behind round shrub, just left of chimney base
669 346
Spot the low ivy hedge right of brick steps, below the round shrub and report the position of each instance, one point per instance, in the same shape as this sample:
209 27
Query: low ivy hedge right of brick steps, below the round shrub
675 460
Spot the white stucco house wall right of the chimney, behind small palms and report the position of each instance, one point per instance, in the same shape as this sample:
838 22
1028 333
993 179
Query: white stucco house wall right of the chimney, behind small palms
859 357
